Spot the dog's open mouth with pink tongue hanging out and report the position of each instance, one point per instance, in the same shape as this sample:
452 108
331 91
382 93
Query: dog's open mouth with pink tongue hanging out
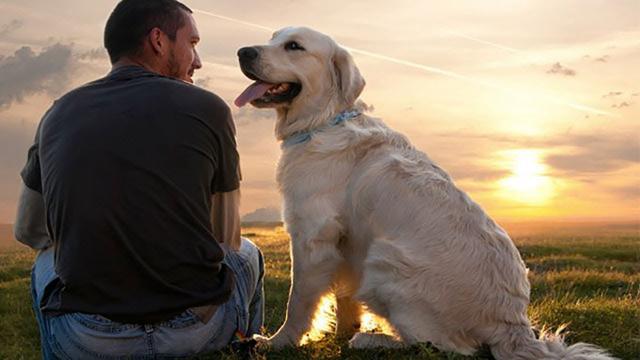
263 93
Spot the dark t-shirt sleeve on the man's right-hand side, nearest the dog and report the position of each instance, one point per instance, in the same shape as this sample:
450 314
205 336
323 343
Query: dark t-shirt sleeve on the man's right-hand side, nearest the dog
227 173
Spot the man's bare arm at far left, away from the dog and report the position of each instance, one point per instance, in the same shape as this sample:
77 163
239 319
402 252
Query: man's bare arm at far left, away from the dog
30 227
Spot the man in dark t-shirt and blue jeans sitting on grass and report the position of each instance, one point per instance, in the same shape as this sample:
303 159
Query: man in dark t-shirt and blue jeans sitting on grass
125 171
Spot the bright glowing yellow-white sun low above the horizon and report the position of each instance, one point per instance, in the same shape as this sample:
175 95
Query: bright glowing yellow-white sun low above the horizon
528 183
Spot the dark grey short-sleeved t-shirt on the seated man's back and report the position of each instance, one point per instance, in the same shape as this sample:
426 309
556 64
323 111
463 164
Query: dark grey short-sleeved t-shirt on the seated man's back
127 165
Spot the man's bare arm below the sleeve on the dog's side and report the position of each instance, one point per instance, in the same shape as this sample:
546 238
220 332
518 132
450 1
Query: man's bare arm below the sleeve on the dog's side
225 218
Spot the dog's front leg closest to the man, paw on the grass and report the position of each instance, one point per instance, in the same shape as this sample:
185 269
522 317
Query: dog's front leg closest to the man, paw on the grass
315 259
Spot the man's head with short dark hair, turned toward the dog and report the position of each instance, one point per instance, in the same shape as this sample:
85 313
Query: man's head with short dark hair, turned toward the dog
158 34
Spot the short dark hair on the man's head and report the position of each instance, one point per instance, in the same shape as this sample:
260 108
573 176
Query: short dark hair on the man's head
132 20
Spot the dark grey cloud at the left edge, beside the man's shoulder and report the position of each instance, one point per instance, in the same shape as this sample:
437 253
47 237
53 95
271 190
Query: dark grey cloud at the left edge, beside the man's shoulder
25 73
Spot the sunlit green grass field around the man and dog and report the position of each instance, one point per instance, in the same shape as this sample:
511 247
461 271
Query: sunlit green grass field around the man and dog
587 277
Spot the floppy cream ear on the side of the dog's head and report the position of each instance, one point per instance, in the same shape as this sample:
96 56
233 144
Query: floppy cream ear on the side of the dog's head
348 77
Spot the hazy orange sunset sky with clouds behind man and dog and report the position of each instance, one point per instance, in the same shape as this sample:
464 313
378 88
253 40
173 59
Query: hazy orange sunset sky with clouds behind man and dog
532 107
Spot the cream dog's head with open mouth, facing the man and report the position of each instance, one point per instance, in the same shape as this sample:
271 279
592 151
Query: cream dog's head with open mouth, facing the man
299 71
